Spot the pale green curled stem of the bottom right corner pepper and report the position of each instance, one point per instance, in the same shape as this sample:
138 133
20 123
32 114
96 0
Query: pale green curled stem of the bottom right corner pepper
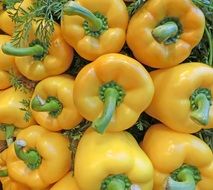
185 181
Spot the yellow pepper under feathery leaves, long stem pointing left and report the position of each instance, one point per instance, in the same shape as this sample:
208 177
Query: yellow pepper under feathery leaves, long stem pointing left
36 62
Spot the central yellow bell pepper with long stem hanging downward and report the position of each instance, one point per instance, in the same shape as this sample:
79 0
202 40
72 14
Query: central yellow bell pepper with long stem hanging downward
116 86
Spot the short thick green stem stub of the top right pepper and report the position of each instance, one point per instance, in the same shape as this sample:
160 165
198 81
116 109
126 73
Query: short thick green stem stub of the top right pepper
165 31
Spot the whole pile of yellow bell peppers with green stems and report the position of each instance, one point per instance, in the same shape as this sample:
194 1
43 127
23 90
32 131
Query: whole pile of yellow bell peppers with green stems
111 92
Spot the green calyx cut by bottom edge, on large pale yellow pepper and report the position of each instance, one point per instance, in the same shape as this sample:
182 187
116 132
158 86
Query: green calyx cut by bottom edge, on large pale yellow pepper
116 182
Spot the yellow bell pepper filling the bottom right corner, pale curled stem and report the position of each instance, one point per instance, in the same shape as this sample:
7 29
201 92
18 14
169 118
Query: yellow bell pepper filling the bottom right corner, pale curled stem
181 161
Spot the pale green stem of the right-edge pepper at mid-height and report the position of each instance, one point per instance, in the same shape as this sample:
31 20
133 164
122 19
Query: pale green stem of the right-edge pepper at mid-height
201 114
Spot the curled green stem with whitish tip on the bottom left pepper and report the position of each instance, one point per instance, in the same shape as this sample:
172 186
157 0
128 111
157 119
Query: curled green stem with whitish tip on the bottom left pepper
31 157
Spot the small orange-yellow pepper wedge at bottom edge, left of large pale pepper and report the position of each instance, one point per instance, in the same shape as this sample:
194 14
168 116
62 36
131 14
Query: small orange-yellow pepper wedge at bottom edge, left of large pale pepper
68 182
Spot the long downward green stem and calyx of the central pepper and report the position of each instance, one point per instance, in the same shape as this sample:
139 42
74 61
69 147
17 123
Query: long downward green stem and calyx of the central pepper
112 95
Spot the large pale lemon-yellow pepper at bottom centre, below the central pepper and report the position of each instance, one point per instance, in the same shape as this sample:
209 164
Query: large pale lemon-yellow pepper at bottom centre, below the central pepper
111 161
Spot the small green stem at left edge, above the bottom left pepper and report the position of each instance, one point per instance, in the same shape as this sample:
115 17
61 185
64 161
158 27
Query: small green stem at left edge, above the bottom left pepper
9 132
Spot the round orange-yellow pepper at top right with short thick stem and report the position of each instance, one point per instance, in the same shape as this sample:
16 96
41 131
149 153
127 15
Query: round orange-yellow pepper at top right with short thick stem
164 36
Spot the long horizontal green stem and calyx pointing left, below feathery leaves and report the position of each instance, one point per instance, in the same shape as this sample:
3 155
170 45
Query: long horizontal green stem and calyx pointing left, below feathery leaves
35 49
